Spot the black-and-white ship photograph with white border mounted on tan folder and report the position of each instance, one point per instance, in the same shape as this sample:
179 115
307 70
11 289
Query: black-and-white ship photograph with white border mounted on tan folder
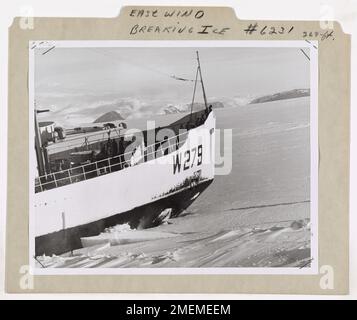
173 157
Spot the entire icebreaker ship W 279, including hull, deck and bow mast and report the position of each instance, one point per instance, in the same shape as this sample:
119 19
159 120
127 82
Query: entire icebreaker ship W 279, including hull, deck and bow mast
96 176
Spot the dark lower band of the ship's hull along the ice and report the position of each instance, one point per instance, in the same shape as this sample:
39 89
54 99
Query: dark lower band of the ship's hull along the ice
140 217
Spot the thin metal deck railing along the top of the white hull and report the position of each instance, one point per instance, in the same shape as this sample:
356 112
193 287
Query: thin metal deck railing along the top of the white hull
111 164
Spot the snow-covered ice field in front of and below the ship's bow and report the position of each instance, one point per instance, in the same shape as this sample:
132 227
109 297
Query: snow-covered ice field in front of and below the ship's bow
258 216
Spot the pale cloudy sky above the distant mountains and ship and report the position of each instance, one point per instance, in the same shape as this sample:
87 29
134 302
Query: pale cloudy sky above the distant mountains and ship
144 72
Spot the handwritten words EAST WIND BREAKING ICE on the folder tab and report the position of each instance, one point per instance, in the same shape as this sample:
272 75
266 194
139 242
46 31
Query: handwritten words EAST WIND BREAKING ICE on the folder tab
174 26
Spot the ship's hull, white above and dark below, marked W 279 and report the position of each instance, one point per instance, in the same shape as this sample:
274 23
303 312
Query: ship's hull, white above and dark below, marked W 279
136 195
